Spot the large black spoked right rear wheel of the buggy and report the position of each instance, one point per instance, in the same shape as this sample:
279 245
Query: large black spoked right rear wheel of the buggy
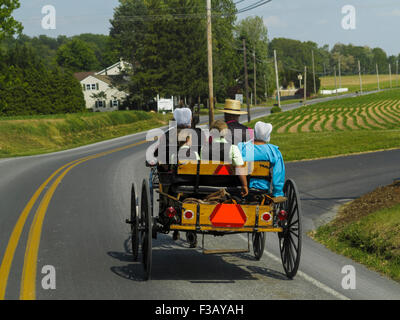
290 237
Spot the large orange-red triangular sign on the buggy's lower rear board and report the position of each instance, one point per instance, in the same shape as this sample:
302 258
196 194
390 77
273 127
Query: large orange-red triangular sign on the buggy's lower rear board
228 215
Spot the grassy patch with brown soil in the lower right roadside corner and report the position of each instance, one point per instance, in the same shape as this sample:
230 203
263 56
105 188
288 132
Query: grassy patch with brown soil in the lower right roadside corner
367 230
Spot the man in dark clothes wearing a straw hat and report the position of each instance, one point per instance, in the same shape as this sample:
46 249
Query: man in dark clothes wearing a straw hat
232 111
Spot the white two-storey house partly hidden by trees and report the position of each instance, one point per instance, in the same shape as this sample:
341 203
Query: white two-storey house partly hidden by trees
100 95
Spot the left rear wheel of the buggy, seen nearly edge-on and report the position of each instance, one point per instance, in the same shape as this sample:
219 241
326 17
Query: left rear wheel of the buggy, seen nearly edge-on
146 229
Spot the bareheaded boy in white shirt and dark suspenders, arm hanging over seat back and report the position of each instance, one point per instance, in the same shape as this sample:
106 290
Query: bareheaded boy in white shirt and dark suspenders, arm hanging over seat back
222 151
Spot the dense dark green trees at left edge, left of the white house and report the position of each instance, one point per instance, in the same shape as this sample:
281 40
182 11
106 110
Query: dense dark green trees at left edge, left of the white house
28 87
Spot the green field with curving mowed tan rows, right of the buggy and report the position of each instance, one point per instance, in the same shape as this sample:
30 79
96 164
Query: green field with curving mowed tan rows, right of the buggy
338 127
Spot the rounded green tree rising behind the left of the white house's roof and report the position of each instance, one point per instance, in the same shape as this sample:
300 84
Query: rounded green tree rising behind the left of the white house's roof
76 56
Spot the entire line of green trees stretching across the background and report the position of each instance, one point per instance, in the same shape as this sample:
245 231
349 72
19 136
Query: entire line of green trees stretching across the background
165 42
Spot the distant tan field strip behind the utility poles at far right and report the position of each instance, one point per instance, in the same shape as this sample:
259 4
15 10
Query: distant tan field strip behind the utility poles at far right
370 82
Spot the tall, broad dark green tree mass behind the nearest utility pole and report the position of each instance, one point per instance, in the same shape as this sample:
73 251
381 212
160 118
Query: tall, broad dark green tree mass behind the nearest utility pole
166 43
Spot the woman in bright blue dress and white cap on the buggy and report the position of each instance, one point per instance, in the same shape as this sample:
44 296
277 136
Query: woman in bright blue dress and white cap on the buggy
261 150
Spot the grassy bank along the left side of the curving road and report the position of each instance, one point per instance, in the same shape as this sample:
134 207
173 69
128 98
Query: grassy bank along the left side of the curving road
23 136
